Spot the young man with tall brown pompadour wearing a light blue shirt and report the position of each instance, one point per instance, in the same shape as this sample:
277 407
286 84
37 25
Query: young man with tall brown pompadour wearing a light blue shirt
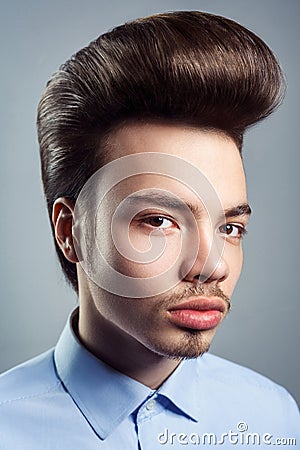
140 136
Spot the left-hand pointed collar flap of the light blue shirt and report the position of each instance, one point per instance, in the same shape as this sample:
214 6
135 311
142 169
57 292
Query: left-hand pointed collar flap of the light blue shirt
104 395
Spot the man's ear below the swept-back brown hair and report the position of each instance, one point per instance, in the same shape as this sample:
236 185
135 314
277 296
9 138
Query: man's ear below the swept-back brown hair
62 219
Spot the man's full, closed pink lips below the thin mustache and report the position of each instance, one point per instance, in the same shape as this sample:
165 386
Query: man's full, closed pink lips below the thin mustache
199 313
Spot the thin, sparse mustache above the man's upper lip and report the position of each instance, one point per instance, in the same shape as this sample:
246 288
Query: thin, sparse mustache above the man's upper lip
200 290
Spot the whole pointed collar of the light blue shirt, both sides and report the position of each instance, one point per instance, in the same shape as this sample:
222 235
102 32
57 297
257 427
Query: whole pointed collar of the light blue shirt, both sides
105 396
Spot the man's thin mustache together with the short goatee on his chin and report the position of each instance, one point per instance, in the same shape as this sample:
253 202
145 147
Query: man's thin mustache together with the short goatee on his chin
192 343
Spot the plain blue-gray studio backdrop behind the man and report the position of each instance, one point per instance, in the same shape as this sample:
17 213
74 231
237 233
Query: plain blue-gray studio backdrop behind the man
263 330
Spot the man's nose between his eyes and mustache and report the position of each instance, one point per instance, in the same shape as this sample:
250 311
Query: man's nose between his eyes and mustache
208 265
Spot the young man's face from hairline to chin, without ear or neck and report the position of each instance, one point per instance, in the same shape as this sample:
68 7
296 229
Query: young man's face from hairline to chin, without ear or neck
180 318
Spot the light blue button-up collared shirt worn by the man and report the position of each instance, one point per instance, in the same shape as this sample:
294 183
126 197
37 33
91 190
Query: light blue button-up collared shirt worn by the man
67 399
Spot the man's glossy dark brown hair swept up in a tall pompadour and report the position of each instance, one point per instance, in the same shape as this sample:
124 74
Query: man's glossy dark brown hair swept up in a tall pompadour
185 67
